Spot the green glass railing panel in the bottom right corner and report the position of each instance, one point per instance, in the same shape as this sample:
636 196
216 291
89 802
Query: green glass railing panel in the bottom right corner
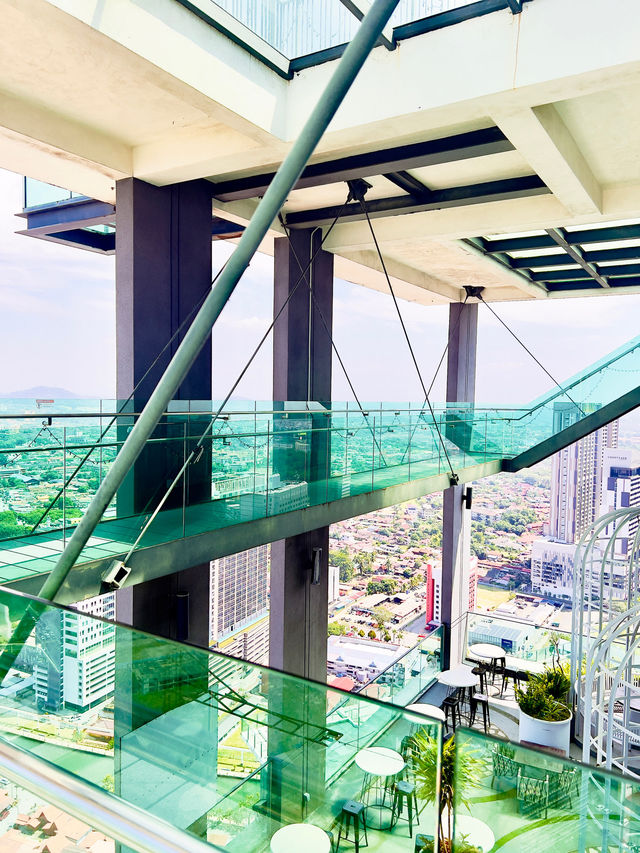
509 797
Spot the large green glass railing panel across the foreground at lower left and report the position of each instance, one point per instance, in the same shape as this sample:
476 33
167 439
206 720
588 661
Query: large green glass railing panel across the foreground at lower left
223 749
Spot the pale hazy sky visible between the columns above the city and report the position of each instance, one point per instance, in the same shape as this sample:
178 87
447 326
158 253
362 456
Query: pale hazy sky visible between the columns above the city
58 328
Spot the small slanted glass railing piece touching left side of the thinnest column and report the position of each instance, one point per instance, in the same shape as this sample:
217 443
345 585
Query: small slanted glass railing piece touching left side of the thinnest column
407 678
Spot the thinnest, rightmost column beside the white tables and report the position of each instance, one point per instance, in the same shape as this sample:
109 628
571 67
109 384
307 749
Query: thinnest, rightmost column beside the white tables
456 520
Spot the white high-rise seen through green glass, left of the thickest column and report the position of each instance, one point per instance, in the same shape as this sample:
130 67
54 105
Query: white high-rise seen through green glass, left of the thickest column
75 668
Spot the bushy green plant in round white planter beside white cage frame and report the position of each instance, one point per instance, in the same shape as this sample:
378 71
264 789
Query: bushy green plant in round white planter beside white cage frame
545 718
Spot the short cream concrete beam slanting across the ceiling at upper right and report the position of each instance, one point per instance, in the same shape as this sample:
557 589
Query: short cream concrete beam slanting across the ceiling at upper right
545 142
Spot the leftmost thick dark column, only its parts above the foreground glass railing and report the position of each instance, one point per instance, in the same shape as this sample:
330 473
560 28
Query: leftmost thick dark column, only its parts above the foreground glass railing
163 269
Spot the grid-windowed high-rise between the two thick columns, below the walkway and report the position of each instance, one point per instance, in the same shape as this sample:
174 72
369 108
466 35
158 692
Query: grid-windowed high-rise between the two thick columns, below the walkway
239 623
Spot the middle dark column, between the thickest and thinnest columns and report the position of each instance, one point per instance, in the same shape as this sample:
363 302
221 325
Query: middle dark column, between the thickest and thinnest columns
301 371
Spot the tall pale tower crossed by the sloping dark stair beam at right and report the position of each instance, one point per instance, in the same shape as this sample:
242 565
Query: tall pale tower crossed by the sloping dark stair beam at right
576 479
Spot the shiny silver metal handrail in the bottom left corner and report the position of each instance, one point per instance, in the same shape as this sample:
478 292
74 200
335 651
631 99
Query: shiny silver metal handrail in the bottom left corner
117 818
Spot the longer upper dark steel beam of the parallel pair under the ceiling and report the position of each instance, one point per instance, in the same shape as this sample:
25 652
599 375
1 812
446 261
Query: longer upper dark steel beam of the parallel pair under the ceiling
448 149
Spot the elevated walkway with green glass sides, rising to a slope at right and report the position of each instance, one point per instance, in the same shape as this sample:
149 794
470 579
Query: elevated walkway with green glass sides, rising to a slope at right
264 472
